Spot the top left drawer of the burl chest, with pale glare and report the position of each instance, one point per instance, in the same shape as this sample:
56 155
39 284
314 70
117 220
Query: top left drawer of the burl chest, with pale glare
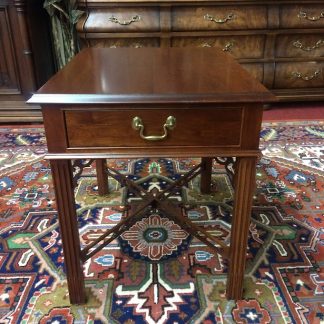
123 20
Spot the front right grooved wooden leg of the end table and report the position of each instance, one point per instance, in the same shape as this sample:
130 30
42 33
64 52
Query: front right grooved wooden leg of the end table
244 188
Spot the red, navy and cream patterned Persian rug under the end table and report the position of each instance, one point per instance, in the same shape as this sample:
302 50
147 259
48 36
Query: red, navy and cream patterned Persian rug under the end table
156 272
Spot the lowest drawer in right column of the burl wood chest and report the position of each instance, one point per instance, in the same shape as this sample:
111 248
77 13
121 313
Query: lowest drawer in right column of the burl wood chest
299 75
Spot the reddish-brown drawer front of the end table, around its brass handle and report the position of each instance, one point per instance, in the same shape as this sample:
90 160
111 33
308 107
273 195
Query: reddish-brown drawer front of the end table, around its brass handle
194 127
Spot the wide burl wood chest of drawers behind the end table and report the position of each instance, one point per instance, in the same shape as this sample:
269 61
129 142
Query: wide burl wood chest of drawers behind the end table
280 42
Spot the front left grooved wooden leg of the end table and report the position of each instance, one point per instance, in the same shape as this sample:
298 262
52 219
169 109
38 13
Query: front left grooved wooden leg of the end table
62 178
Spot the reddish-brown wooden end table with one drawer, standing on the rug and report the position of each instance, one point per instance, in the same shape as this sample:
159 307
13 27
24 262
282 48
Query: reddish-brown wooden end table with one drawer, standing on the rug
156 102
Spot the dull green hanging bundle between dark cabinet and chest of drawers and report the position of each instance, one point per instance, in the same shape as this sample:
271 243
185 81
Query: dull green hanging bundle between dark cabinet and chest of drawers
64 15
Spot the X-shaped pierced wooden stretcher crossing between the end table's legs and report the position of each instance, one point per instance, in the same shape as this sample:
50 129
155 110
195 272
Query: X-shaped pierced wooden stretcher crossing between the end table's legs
154 199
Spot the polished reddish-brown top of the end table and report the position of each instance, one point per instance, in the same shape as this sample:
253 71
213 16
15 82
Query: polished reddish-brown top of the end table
155 75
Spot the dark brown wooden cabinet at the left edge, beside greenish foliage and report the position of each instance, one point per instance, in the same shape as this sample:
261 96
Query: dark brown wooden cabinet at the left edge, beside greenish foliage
25 57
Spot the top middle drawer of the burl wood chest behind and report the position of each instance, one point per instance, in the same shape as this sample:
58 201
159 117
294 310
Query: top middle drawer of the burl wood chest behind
218 18
